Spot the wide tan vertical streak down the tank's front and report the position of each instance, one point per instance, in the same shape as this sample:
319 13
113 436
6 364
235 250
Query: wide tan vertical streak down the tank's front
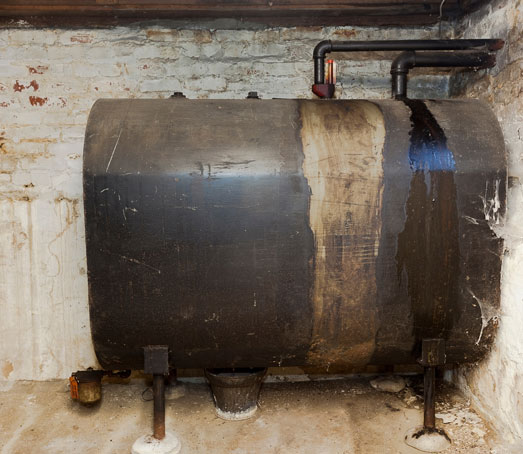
343 149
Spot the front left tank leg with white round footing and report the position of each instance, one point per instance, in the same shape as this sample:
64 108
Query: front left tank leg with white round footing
156 362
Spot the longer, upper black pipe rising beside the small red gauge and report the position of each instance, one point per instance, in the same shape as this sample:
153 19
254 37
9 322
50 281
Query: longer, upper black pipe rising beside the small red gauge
324 47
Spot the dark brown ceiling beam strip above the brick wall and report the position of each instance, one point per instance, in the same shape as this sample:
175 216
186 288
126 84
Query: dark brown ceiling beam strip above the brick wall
273 12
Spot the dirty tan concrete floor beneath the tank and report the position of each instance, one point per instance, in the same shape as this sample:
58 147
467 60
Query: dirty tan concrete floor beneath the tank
342 416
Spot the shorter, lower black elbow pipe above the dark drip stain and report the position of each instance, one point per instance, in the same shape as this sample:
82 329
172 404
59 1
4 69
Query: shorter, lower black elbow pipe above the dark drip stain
407 60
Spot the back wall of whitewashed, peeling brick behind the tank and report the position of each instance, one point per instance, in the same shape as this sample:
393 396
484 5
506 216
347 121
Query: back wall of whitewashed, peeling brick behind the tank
49 79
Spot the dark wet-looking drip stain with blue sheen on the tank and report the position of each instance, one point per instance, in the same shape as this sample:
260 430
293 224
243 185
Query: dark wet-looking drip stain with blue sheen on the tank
428 246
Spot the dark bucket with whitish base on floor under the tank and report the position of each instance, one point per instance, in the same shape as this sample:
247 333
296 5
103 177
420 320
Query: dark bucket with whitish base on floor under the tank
236 391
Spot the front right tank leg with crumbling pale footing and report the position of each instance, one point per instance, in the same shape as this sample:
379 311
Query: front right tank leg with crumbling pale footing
428 437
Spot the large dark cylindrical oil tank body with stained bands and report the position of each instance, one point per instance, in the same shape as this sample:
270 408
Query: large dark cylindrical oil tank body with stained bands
255 233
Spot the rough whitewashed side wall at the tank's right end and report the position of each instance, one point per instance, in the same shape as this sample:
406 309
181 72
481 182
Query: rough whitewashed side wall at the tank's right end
496 385
